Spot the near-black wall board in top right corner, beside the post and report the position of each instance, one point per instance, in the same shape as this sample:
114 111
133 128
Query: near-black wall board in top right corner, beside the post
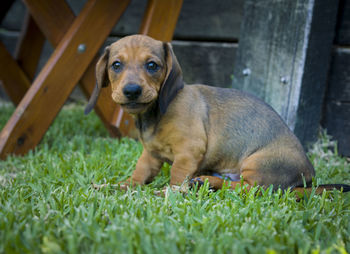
343 24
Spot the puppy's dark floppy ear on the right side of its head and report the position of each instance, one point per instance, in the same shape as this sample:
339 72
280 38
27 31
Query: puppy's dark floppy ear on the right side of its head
173 79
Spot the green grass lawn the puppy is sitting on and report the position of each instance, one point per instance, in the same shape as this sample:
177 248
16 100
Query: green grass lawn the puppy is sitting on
47 204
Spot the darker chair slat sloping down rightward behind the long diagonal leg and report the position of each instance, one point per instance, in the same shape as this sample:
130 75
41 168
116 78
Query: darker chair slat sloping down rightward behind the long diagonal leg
54 27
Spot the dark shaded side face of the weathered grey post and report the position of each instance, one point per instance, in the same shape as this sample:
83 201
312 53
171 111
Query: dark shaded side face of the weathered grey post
316 68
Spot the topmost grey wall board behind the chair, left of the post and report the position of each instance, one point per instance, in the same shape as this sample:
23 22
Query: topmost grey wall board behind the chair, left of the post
199 19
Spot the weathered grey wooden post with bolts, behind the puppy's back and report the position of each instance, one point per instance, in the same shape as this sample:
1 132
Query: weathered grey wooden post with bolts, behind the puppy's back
283 58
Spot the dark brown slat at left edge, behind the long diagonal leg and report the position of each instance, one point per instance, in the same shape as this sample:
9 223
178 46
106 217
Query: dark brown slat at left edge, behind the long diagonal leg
14 80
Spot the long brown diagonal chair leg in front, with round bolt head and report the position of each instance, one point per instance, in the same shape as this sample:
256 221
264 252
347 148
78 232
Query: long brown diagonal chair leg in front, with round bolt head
55 82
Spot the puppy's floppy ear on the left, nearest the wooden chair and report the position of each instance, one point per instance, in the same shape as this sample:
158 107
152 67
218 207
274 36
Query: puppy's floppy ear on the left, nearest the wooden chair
101 80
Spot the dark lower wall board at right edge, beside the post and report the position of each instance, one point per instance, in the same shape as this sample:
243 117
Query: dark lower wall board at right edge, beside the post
336 116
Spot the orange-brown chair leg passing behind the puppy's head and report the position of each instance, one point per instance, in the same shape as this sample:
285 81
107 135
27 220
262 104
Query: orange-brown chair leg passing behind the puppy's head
158 22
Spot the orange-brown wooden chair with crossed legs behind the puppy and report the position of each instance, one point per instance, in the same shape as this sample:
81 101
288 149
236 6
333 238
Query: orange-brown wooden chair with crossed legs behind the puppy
76 41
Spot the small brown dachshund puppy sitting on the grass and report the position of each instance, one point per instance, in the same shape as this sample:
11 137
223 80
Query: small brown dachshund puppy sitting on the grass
201 130
